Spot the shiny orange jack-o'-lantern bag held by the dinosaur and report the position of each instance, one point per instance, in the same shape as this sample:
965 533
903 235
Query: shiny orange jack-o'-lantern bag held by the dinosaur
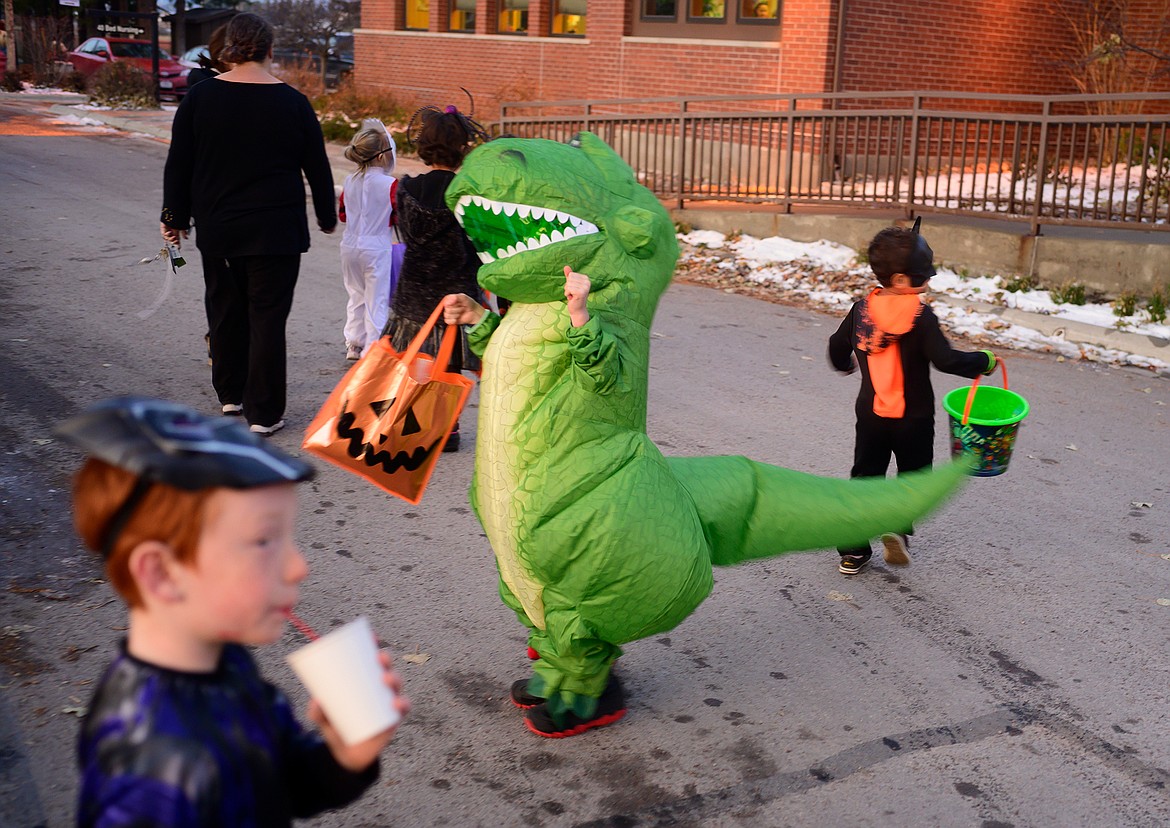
389 419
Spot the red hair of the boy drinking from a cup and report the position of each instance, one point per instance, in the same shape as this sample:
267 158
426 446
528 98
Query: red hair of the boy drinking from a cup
166 514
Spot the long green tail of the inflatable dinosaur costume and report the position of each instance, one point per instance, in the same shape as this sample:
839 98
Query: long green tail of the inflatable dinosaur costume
753 510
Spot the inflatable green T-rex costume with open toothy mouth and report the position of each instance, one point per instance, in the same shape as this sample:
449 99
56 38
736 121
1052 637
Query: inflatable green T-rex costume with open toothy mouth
600 539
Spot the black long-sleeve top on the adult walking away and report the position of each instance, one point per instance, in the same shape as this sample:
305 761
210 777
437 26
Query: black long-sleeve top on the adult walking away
238 154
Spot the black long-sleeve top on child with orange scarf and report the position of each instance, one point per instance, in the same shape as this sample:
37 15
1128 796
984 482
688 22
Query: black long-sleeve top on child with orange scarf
920 348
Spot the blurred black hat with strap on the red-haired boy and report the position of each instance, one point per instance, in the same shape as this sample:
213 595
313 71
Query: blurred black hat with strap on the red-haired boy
166 443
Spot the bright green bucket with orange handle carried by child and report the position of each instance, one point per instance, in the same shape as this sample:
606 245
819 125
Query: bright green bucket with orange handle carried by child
985 423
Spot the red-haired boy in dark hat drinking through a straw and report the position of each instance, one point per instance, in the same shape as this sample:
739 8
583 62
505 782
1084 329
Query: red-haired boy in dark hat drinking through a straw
195 519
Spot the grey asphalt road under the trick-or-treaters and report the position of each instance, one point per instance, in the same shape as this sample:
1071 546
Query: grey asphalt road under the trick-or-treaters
1016 675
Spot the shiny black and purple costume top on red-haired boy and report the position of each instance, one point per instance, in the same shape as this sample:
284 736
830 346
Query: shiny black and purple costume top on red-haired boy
162 748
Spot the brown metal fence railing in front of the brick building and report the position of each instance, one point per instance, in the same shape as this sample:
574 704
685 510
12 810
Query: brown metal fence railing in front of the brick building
1090 161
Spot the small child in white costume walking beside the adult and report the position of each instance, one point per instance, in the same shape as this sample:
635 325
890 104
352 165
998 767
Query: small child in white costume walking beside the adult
367 208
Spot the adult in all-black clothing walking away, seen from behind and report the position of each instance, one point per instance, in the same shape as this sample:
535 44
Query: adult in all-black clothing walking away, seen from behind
239 147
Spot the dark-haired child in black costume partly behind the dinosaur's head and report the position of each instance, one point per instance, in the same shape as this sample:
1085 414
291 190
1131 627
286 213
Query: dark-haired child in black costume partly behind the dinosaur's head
439 257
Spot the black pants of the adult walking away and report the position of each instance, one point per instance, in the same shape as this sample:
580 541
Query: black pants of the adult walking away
249 301
